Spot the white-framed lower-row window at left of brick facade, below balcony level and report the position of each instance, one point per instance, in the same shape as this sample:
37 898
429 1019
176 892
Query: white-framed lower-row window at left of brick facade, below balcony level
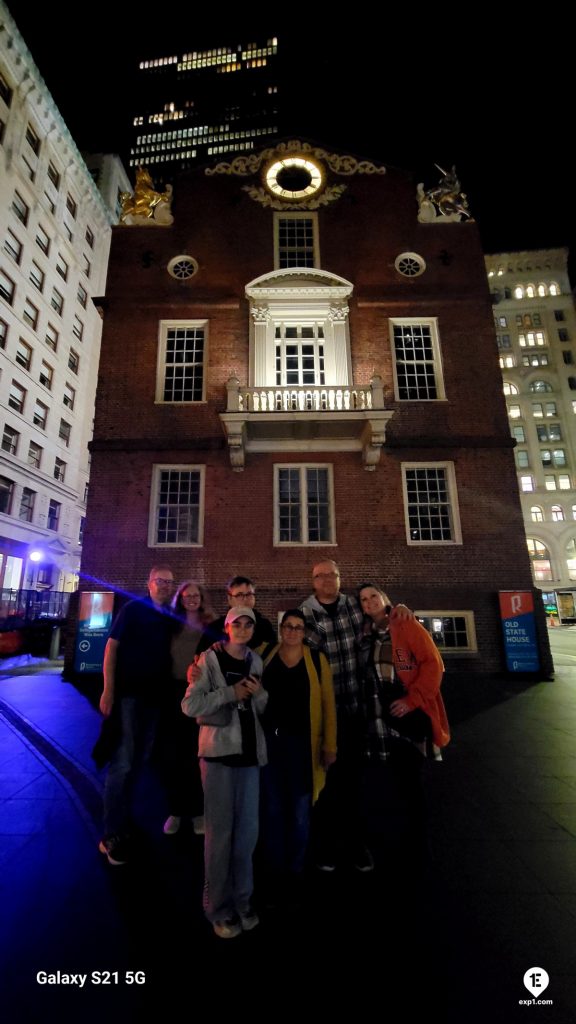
178 500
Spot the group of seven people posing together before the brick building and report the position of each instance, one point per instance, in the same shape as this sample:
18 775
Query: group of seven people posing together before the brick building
322 715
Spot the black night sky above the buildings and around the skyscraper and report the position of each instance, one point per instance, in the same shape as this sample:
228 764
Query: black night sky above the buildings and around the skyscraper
489 99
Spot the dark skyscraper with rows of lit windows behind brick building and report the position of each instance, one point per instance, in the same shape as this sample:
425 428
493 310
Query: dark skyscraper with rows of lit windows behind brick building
204 104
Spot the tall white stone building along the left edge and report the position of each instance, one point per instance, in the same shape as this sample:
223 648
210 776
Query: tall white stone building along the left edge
55 241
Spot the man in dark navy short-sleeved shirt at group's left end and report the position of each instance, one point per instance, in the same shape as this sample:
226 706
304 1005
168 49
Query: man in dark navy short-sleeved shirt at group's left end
137 668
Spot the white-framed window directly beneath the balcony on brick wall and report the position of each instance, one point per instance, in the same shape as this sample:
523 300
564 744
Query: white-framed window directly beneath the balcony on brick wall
304 505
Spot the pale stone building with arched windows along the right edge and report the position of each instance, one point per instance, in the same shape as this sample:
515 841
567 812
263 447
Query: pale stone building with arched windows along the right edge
536 324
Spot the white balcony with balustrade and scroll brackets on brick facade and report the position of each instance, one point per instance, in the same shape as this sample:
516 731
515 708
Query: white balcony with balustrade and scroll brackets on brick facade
306 419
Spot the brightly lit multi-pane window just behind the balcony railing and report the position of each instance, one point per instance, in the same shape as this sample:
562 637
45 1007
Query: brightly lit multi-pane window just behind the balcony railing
300 354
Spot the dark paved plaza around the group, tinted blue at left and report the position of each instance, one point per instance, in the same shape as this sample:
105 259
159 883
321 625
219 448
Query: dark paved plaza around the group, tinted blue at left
499 900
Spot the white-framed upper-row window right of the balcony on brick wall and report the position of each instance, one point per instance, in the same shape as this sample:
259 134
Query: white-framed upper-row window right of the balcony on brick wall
417 352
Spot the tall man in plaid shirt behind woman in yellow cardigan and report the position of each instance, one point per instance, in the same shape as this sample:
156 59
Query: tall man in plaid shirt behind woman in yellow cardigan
335 625
